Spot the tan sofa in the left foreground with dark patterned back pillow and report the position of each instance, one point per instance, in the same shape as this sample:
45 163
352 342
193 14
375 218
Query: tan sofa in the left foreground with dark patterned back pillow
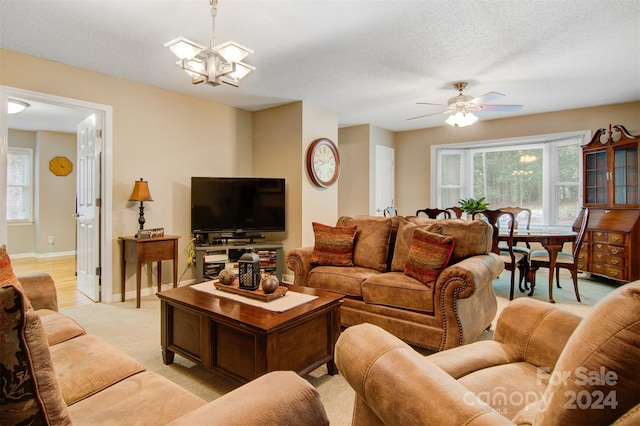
52 372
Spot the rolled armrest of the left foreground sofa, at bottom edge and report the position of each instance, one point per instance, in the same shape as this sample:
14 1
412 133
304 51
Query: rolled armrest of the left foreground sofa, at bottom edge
276 398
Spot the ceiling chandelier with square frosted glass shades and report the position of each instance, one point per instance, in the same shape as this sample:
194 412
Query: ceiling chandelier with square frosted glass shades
213 65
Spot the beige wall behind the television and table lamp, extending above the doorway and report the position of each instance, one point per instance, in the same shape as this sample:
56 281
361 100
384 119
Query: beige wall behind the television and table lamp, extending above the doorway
162 136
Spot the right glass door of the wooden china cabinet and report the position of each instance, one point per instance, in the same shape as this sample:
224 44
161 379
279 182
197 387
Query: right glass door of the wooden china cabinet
626 189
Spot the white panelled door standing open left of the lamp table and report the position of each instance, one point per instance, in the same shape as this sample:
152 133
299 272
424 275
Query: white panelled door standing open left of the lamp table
88 206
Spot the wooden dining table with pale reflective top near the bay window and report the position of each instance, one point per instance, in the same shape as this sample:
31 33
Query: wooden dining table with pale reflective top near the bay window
552 239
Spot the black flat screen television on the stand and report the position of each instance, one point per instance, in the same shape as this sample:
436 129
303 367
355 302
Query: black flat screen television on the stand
237 205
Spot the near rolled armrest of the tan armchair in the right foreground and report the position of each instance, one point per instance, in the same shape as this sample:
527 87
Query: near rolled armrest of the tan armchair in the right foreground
396 385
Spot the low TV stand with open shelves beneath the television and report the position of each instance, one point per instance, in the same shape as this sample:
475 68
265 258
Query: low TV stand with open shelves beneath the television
213 257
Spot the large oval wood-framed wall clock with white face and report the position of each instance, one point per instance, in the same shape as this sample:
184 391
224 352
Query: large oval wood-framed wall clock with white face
323 162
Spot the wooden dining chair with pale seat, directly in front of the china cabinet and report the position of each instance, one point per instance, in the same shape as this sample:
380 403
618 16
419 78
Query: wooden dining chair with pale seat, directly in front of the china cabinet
540 259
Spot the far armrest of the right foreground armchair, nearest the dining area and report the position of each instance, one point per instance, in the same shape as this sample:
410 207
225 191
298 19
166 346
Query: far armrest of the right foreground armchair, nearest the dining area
535 331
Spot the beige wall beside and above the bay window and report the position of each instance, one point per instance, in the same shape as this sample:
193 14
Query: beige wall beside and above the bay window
413 148
